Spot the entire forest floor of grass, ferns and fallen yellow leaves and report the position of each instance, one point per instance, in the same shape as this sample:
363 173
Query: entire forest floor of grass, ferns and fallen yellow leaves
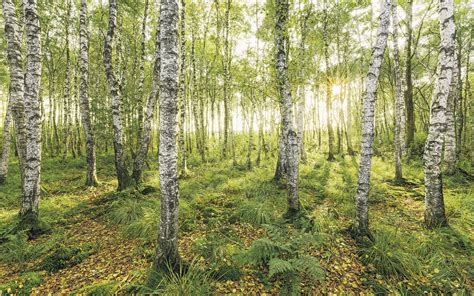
233 235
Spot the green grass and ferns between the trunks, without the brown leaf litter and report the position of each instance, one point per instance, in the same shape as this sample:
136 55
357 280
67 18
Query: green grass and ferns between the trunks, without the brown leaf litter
218 200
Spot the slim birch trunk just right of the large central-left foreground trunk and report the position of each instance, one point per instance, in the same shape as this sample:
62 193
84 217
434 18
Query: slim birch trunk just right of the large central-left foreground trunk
182 92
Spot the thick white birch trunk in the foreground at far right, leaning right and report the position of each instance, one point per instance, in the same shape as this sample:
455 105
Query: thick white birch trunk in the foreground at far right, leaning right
434 200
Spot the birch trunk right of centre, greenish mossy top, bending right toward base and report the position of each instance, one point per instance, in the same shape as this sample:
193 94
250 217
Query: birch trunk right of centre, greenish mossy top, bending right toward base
288 135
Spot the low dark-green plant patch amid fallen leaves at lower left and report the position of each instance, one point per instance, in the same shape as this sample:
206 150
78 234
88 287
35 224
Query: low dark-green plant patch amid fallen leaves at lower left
64 256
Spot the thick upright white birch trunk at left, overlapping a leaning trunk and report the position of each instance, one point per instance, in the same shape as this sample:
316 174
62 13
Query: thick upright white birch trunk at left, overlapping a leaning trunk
31 186
